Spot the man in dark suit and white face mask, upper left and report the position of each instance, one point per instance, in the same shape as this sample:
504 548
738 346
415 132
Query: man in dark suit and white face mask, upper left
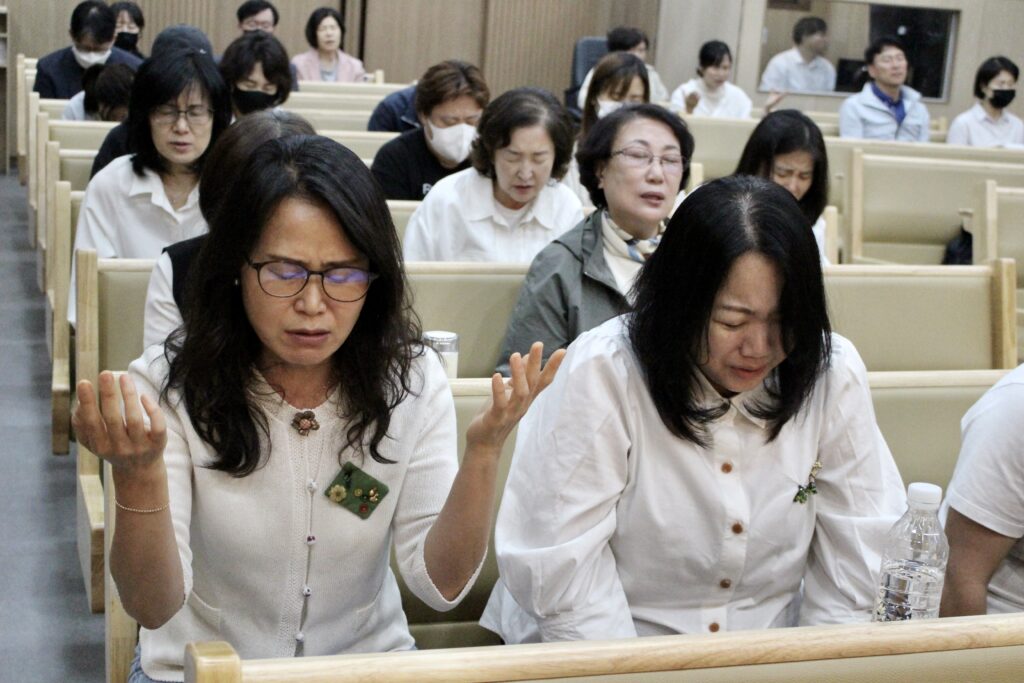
59 75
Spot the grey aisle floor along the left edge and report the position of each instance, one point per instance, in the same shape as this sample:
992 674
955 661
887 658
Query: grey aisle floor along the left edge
47 631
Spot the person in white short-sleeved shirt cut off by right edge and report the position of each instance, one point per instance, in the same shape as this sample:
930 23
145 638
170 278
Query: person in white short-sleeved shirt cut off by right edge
985 509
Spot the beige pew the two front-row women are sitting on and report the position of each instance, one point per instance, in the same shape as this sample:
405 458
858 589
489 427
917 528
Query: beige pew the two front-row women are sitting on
919 415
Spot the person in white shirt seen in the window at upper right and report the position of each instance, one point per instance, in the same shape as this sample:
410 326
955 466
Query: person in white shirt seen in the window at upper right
803 68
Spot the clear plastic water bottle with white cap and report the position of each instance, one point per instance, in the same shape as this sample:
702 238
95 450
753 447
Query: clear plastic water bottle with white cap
914 564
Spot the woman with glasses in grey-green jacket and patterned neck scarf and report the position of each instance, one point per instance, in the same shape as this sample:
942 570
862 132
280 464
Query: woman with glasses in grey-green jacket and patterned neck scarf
633 163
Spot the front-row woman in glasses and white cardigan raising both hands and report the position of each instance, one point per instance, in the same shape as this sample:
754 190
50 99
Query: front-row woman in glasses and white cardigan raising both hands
272 456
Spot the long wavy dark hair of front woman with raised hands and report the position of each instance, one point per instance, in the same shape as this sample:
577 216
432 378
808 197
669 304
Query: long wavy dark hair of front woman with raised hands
214 363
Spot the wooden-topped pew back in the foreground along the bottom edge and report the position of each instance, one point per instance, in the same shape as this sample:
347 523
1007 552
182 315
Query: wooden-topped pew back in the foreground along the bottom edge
938 651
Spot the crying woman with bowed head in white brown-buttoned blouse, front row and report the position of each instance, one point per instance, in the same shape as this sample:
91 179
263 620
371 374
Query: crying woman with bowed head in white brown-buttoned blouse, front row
709 462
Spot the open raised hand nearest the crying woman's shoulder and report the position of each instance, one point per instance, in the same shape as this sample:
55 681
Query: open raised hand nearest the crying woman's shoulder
510 402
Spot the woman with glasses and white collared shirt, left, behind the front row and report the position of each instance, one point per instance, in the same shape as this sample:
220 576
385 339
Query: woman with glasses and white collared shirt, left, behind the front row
143 202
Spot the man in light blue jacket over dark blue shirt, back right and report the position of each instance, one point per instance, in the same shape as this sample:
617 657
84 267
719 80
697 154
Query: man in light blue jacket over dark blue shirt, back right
886 109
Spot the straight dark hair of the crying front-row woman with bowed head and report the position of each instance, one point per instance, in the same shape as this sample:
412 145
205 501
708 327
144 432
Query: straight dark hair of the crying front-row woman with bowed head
675 294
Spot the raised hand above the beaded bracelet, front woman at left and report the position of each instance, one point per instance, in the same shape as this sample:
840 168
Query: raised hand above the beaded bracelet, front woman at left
124 441
